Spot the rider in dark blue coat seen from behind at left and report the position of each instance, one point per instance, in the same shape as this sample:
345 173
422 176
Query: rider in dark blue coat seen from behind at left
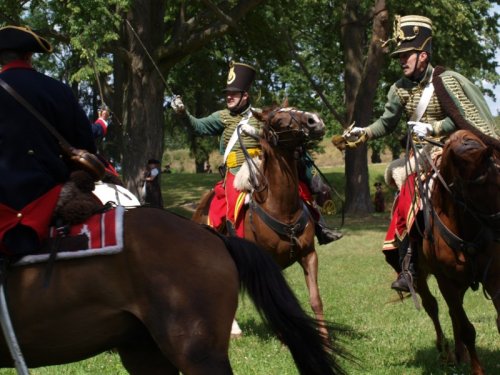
32 167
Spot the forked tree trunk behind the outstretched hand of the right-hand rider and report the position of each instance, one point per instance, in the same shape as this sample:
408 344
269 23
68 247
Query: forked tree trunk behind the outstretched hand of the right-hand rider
361 85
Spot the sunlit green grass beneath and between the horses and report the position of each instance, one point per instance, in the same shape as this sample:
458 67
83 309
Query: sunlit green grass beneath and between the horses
388 336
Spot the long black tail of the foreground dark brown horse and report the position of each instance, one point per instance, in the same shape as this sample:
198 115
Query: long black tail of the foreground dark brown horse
262 279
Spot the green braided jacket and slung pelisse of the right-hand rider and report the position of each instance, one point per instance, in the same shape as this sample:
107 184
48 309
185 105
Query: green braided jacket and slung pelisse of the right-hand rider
404 96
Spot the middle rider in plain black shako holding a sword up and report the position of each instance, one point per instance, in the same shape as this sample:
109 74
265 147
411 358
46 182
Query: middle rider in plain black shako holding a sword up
238 112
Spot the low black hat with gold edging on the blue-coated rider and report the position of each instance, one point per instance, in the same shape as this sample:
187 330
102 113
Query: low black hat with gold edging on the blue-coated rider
18 38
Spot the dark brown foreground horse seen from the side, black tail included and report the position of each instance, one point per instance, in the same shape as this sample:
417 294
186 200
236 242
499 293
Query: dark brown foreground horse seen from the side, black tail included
165 303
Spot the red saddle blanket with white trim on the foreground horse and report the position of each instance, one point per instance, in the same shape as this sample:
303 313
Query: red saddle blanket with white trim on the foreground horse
103 233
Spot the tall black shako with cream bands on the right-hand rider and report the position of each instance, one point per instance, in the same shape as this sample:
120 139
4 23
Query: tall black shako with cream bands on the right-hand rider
412 33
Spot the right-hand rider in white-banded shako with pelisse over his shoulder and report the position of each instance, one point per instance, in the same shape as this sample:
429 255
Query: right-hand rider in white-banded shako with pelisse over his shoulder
436 102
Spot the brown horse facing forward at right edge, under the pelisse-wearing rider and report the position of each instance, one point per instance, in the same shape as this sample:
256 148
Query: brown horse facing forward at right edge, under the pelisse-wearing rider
463 248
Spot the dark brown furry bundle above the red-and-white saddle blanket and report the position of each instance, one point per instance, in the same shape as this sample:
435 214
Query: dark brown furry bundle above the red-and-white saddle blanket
76 202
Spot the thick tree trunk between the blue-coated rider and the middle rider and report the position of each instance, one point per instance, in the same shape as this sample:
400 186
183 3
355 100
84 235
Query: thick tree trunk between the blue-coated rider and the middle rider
143 93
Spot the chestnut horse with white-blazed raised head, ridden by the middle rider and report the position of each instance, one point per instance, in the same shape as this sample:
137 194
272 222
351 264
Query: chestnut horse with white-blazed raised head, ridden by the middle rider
276 218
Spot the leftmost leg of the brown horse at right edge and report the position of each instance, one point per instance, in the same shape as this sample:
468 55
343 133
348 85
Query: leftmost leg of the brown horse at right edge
431 307
